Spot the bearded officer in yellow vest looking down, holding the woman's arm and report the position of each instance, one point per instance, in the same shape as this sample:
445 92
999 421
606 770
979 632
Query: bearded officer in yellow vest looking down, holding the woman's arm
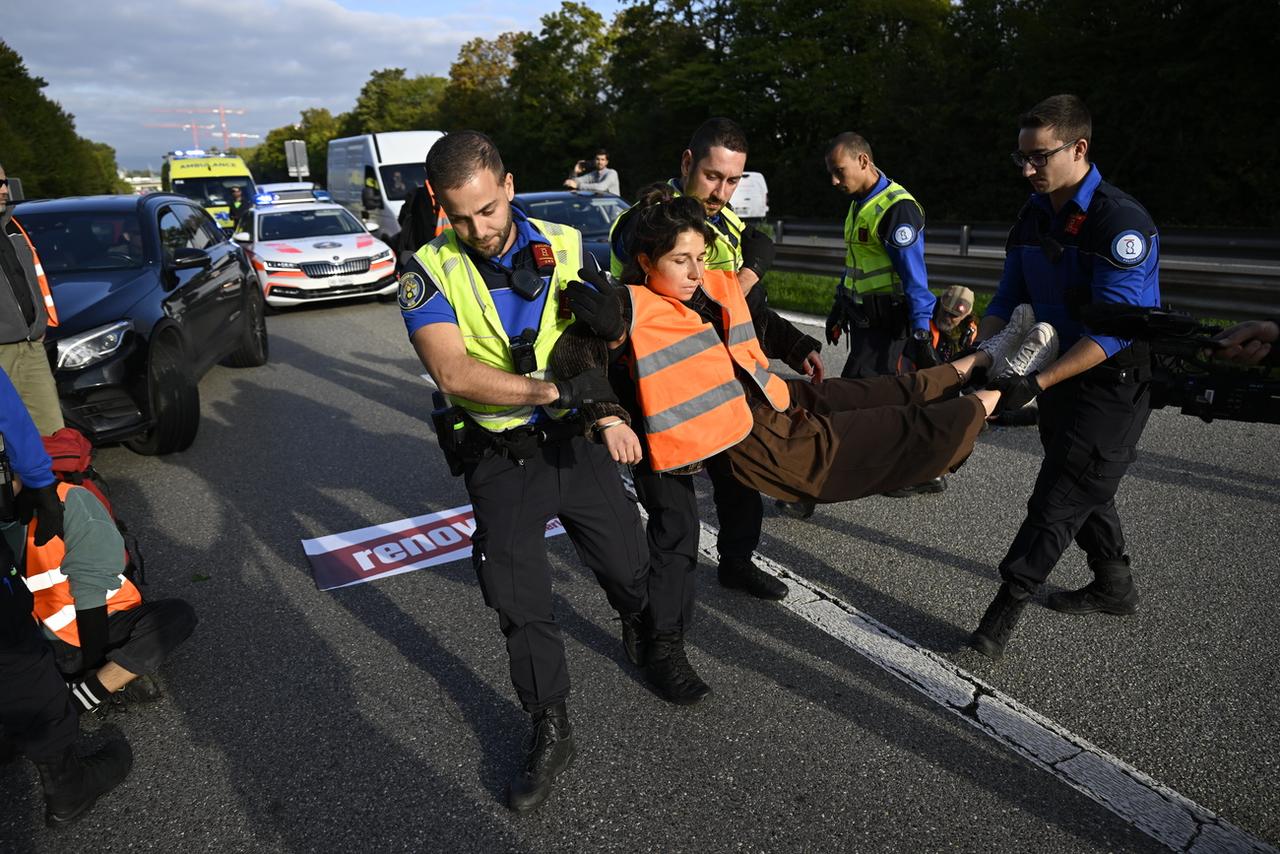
483 308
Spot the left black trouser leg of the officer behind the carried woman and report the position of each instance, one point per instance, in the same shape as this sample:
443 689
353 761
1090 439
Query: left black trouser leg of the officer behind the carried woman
673 536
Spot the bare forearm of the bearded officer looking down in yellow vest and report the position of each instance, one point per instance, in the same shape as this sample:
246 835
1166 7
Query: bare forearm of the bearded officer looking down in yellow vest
440 346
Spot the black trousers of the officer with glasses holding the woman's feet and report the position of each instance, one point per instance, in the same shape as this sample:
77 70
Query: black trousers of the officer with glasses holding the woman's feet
1090 427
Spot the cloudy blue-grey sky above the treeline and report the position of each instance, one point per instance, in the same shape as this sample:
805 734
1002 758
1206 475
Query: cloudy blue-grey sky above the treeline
116 66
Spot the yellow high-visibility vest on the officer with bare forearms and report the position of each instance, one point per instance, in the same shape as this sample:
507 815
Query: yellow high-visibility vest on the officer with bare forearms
482 330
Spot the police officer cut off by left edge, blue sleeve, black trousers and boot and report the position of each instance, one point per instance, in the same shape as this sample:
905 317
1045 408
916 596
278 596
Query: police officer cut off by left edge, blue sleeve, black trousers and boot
36 713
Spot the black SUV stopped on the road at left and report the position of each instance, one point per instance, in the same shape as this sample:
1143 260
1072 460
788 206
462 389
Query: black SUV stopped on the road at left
150 295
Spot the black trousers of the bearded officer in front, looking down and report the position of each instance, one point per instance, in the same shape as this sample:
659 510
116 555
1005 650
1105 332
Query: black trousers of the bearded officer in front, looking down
514 503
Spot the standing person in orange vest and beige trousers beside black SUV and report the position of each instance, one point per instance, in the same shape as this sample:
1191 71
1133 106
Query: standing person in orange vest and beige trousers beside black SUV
26 310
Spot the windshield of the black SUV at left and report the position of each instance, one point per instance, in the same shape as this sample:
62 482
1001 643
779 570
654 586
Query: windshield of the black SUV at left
86 240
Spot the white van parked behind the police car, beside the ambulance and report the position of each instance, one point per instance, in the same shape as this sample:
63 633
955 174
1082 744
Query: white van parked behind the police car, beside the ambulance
390 165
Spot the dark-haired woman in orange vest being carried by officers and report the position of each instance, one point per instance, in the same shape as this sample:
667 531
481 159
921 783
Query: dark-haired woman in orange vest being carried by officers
703 383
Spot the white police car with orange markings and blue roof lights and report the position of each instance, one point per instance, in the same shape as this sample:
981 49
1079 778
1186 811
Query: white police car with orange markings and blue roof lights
307 249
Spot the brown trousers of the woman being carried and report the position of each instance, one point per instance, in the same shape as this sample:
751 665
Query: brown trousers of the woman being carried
851 439
